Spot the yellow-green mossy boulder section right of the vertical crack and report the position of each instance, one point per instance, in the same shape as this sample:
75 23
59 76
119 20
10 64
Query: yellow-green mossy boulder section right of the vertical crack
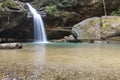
110 25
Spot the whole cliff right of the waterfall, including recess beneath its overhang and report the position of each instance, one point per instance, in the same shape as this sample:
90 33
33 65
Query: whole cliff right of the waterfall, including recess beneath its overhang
67 13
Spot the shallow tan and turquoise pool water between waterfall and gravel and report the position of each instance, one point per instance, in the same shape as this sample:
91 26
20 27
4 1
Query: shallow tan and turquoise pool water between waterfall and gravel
63 53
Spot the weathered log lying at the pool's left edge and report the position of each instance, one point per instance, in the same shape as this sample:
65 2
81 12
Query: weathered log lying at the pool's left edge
10 46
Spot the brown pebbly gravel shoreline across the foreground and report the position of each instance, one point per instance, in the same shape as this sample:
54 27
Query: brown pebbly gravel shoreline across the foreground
59 71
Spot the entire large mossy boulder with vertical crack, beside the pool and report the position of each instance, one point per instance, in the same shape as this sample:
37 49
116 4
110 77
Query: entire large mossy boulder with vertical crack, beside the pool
98 28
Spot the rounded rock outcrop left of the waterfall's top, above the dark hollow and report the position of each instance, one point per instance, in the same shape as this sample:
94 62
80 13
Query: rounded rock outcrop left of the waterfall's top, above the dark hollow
12 13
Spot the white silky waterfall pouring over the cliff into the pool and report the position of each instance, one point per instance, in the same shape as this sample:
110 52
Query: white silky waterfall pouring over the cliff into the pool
39 31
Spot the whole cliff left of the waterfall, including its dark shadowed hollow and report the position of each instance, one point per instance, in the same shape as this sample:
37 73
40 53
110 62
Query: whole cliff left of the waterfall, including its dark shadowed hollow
13 21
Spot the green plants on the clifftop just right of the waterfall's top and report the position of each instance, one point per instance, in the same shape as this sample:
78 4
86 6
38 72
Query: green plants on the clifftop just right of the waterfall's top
55 6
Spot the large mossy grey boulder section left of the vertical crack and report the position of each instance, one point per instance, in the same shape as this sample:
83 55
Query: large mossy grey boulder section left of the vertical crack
88 29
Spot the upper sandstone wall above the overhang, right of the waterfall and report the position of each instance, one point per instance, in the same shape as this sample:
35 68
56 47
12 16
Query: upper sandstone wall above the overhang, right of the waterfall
75 11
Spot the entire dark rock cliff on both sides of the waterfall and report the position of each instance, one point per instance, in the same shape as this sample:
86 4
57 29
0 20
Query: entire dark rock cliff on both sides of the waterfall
59 19
